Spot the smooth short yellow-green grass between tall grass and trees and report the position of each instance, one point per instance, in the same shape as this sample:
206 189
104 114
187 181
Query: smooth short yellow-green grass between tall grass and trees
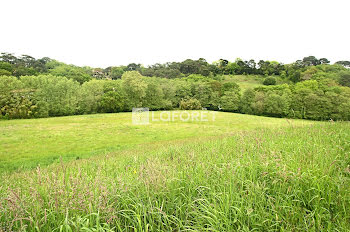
28 143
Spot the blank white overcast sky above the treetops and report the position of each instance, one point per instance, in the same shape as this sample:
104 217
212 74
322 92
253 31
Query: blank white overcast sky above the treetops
110 33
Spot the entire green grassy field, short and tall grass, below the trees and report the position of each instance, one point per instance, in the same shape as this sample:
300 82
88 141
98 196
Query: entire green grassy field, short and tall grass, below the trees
238 172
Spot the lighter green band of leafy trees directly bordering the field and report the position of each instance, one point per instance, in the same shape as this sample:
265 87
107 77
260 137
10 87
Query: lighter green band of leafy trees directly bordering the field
48 95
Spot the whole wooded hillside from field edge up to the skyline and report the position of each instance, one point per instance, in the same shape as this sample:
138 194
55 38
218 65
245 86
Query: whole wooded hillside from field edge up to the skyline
310 88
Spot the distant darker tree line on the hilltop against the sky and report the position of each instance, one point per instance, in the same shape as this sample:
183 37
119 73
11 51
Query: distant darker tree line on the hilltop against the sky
24 65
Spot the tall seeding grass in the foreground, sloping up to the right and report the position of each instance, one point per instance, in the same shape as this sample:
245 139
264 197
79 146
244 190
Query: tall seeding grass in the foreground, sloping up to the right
287 179
